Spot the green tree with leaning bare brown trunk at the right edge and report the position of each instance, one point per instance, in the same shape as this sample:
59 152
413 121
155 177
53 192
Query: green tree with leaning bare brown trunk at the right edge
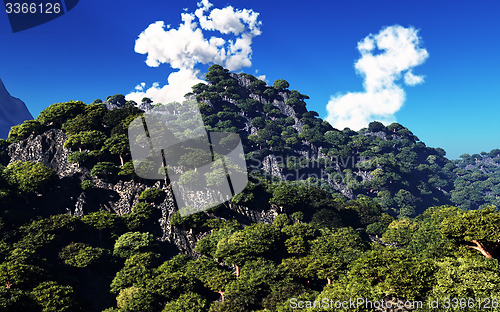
477 229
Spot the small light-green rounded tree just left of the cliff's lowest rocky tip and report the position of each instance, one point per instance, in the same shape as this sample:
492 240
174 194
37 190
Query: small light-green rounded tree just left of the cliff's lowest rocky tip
131 243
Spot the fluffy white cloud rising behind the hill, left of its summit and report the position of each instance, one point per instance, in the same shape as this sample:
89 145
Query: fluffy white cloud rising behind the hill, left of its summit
188 45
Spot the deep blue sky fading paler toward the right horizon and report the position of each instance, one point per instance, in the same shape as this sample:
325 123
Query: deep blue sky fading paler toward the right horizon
89 53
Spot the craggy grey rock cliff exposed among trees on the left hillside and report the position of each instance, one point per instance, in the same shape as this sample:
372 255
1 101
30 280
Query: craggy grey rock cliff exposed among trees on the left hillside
118 196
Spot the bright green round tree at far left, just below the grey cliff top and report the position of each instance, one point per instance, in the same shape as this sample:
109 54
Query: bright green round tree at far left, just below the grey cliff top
30 176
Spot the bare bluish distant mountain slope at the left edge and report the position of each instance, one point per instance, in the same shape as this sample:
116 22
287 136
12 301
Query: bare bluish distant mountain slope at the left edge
13 111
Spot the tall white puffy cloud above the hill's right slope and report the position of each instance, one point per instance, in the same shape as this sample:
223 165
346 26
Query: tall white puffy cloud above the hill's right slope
386 58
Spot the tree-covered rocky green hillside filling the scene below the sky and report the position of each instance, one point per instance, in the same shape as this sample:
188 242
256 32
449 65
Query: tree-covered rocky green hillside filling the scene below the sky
328 213
